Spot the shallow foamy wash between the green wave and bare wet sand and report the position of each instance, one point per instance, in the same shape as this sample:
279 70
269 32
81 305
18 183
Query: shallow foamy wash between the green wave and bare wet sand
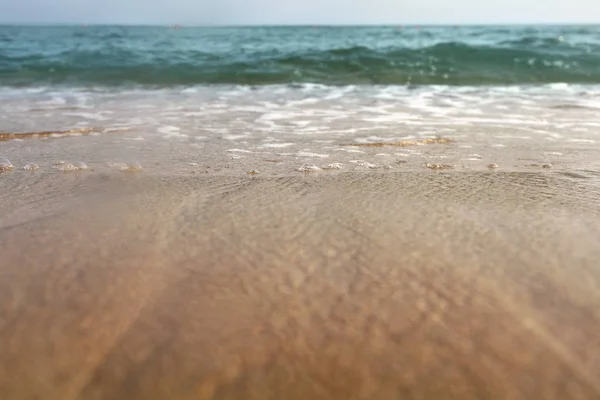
277 129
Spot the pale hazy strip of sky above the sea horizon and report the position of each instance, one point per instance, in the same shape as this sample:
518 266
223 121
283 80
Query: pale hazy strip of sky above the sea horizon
226 12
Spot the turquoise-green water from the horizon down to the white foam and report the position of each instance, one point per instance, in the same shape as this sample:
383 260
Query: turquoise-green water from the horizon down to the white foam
409 55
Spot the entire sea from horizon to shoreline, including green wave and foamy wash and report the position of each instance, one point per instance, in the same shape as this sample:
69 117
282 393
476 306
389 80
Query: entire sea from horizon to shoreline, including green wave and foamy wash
301 94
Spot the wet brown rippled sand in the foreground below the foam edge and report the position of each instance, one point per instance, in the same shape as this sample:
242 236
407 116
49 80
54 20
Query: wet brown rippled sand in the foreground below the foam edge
409 285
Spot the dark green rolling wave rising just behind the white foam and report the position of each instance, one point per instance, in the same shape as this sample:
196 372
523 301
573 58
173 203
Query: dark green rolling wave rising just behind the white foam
111 59
